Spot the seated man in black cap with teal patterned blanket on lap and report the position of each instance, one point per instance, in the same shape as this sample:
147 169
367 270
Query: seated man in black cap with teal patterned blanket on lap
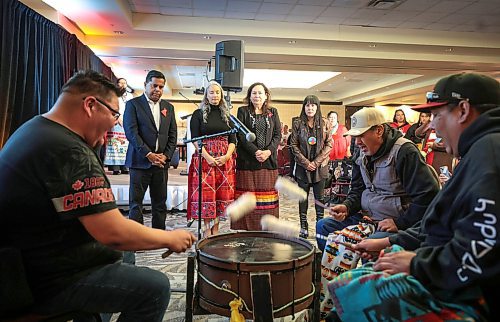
449 267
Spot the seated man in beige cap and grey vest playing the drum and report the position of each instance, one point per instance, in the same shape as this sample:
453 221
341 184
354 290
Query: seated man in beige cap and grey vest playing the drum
391 182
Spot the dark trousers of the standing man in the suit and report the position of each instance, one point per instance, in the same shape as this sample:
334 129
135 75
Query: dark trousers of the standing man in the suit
156 179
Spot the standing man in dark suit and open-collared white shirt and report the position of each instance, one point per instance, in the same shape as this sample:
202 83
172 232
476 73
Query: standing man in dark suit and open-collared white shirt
151 129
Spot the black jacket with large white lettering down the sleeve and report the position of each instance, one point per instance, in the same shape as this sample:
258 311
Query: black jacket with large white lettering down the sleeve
457 243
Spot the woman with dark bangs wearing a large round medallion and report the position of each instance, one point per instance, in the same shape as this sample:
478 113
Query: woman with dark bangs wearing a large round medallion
311 143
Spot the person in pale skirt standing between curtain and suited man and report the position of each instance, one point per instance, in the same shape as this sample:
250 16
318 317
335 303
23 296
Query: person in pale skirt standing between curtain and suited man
116 141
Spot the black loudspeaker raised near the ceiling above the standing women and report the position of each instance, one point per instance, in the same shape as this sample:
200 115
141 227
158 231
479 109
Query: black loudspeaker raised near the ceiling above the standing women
229 64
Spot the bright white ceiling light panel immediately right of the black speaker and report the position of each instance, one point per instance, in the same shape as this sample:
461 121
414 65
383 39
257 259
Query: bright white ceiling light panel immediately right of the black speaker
274 78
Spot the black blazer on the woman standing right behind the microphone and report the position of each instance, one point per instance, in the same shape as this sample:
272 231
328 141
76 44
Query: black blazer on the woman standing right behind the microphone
246 150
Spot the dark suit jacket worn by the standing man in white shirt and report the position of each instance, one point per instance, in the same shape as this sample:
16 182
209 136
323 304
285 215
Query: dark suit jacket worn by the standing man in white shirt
141 131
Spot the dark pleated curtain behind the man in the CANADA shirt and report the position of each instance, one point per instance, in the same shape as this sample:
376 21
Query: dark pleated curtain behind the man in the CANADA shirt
37 57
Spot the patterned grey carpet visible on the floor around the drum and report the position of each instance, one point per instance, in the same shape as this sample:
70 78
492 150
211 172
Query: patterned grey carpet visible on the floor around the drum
175 266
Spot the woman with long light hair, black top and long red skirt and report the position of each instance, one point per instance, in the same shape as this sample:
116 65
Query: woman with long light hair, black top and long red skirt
218 160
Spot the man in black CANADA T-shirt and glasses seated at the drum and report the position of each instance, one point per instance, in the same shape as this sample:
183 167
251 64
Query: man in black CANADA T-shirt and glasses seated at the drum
58 210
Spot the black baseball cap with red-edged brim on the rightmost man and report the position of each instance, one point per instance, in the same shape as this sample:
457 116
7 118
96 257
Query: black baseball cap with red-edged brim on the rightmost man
475 88
